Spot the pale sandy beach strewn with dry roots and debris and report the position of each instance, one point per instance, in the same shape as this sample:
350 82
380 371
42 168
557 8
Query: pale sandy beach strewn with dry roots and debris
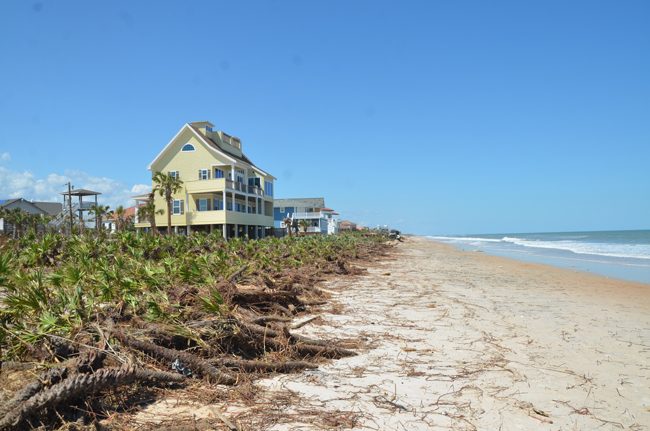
465 341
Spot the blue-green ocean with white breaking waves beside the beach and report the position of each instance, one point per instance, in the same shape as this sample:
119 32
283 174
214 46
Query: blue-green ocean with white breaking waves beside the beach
623 254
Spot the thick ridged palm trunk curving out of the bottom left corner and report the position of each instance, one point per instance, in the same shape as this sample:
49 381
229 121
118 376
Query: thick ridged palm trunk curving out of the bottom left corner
78 385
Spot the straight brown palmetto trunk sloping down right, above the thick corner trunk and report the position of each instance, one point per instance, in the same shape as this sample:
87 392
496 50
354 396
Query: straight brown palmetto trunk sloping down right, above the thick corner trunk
197 364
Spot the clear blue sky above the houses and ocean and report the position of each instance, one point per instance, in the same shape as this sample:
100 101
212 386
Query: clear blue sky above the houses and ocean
433 117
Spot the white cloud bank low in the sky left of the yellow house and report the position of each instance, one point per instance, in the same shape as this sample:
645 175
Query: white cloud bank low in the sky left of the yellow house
15 184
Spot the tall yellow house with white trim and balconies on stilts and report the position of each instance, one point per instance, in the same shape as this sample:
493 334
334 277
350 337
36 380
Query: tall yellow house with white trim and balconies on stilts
222 189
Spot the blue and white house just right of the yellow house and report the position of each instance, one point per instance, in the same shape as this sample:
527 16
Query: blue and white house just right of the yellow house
321 219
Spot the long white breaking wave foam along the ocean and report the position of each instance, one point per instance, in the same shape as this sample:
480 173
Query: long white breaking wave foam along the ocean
633 251
